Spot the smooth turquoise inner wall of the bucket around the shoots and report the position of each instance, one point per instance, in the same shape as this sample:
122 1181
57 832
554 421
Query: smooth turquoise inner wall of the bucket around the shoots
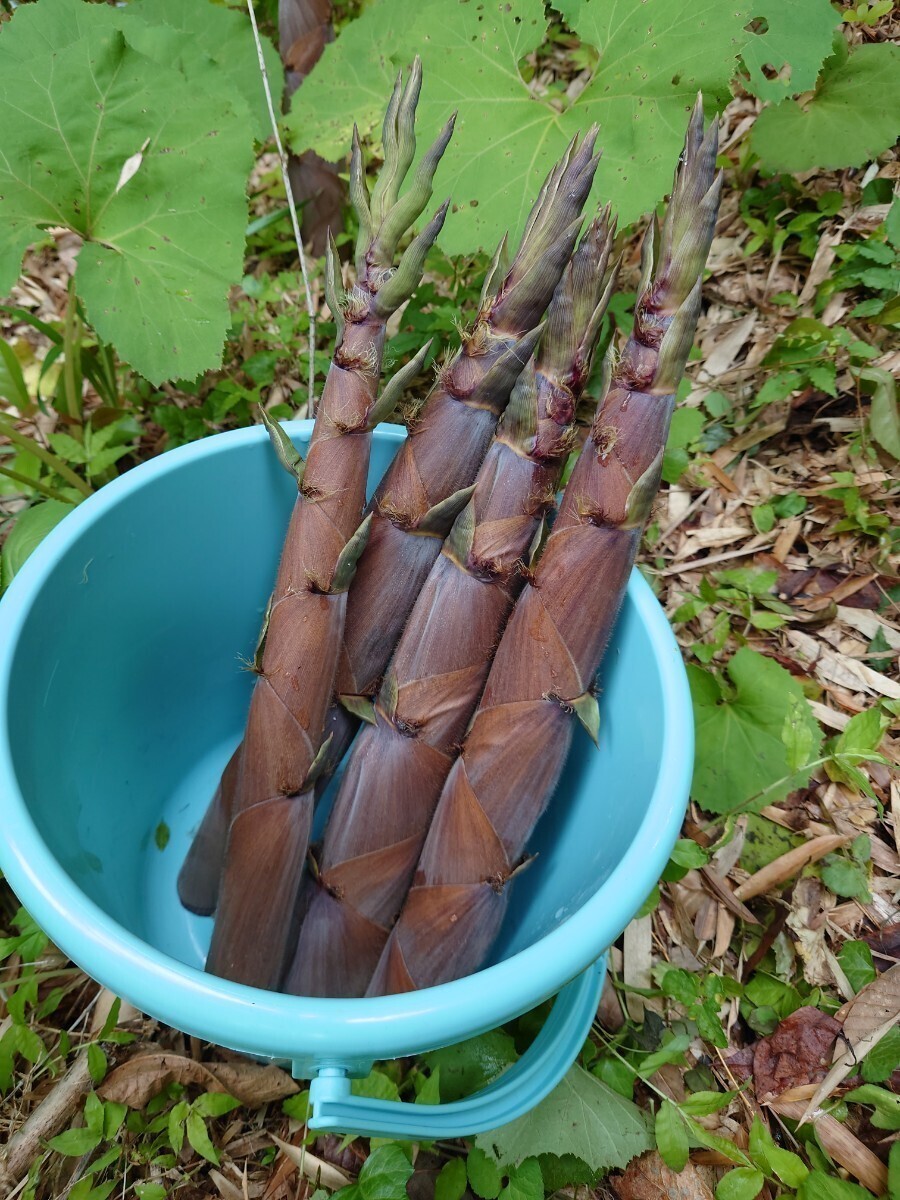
130 693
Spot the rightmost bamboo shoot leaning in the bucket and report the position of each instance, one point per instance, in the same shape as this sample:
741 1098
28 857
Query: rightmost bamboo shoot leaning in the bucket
543 676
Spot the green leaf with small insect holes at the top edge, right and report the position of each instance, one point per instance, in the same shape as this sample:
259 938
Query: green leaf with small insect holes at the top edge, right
794 41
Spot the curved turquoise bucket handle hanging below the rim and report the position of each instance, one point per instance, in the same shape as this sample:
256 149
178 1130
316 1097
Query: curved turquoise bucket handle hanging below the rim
334 1109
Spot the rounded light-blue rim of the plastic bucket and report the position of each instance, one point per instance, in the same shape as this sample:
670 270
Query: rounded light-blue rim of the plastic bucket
283 1027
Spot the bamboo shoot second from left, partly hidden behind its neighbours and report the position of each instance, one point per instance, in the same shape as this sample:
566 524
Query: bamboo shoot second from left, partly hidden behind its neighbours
427 485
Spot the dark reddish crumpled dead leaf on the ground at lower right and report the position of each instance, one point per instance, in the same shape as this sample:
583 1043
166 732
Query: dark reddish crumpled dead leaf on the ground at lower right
799 1053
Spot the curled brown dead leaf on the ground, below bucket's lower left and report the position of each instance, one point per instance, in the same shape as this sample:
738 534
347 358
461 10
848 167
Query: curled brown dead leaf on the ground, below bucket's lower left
137 1082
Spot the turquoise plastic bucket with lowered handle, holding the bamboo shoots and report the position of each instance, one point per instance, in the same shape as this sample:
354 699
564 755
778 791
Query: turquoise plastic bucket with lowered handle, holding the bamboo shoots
123 694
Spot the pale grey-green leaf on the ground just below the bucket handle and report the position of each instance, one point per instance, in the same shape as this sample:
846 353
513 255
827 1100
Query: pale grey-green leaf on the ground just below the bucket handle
581 1117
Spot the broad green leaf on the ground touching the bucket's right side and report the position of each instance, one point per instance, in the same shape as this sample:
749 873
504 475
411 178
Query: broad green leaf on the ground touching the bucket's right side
745 740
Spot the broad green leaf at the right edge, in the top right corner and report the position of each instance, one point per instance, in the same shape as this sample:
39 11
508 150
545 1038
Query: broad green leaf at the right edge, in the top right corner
853 117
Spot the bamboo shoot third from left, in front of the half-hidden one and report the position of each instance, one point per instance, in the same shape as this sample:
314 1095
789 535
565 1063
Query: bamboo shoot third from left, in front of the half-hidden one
399 766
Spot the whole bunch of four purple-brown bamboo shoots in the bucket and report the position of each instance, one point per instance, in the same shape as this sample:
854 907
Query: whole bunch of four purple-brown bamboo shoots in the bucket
443 621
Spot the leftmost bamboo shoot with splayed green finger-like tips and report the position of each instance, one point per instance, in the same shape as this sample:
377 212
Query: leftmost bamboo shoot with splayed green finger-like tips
271 788
